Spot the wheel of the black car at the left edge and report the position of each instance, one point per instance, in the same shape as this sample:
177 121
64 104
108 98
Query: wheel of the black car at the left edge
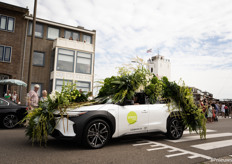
10 120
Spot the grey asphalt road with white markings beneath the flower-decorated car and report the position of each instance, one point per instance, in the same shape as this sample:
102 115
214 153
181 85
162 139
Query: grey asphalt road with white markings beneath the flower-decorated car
16 149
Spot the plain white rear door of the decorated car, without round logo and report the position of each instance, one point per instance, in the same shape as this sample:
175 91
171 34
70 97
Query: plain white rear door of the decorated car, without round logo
158 114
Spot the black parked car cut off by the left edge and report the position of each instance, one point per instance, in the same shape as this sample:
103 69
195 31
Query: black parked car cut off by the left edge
11 113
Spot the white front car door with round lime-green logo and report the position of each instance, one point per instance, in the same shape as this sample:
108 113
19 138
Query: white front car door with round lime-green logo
133 119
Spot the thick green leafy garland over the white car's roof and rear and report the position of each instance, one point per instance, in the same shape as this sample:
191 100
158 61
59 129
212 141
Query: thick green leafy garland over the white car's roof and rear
179 97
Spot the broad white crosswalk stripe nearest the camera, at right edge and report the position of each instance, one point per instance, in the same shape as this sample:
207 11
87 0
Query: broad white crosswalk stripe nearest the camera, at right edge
213 145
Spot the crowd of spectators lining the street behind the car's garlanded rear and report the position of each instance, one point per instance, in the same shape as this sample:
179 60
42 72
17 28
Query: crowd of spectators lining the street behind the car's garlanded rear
213 110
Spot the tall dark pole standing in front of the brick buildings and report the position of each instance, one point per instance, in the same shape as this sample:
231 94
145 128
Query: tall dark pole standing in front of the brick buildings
32 48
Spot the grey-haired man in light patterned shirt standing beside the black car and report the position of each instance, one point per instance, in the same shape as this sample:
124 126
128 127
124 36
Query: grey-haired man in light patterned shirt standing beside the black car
33 98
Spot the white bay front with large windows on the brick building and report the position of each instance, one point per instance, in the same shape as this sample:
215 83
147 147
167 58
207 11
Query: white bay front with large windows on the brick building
73 62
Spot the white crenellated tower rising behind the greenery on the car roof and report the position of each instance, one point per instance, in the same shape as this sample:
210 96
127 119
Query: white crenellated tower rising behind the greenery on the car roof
159 66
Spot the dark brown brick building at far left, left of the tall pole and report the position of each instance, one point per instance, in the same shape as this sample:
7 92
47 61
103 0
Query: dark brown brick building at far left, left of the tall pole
12 34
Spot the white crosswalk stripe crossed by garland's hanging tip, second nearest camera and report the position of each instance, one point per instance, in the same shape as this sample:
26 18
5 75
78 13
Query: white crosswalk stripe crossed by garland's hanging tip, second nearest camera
191 138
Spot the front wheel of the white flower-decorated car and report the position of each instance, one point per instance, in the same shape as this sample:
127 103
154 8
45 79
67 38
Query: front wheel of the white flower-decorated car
97 133
